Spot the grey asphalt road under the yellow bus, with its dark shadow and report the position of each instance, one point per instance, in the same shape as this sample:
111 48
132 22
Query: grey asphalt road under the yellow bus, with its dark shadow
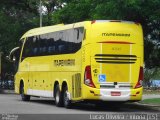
11 103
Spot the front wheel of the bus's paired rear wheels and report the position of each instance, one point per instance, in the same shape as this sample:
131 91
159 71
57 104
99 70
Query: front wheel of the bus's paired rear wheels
58 97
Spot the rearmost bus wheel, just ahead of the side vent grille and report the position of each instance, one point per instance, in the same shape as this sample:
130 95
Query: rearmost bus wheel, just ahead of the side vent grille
66 100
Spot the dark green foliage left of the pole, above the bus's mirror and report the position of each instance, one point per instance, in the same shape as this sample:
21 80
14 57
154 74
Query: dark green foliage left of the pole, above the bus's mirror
16 17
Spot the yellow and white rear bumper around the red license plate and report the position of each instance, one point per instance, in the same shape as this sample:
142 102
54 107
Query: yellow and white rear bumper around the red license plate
105 94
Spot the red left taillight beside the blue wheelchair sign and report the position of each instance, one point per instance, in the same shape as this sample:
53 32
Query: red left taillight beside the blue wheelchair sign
88 77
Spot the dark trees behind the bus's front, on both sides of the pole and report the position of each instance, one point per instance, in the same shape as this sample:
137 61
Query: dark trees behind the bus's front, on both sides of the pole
17 17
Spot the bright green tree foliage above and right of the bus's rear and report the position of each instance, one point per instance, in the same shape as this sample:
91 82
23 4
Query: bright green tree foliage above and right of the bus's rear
146 12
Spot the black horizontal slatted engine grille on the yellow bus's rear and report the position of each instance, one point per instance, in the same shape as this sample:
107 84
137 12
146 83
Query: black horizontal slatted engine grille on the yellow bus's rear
115 59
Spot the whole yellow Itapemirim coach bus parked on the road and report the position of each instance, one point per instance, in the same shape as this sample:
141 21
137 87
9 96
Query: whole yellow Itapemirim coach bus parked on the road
99 60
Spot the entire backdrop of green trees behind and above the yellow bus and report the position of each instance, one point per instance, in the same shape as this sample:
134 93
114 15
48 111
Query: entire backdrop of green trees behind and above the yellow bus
18 16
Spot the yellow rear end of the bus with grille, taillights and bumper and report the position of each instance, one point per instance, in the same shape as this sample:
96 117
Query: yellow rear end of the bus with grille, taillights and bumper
114 69
